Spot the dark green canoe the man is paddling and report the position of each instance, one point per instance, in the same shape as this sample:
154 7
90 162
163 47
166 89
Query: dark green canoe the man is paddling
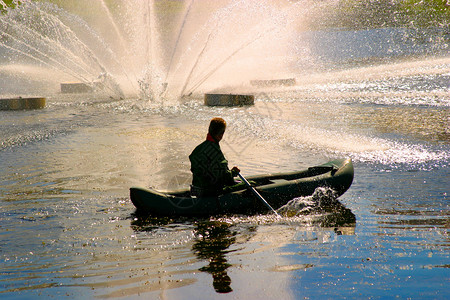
277 189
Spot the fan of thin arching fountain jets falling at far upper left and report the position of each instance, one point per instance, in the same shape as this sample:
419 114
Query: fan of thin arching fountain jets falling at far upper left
43 35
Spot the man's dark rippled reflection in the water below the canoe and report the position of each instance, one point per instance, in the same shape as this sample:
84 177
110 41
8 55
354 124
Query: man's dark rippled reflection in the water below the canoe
212 240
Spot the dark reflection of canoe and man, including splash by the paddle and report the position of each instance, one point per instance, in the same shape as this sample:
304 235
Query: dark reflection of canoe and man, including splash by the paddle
212 238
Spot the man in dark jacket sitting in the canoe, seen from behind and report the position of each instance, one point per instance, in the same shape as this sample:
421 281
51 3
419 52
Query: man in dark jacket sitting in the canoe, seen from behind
209 167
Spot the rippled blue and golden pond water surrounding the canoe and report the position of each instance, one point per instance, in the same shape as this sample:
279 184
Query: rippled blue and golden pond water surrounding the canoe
68 227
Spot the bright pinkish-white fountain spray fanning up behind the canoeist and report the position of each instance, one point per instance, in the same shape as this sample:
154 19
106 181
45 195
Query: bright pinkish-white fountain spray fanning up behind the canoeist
153 48
